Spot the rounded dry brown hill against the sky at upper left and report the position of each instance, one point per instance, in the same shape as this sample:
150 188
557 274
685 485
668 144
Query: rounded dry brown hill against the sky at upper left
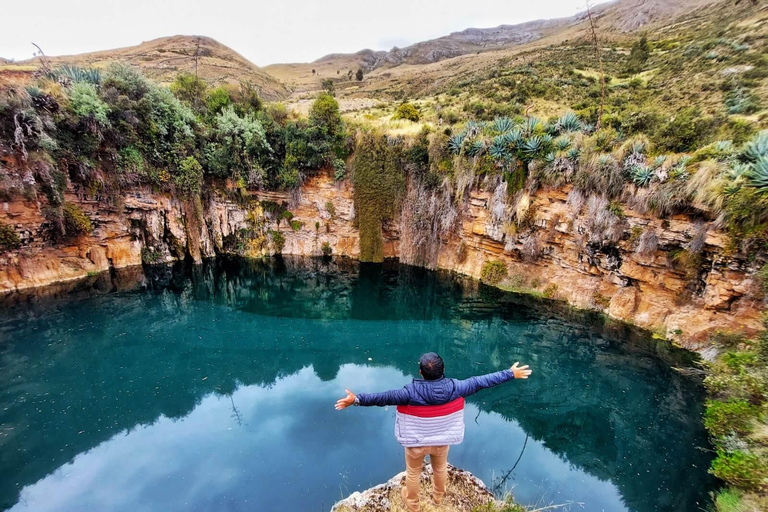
162 59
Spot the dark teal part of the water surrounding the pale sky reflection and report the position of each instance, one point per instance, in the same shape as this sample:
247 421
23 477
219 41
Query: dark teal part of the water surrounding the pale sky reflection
605 404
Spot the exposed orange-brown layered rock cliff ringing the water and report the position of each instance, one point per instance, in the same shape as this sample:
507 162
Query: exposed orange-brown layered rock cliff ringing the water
645 288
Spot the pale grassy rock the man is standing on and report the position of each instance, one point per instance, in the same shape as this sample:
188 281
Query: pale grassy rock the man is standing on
464 492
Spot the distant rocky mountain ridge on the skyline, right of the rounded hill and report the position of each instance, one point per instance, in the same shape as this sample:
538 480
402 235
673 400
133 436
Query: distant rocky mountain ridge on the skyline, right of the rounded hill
617 20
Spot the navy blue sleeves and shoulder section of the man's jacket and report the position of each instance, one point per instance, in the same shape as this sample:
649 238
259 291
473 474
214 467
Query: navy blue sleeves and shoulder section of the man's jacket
435 392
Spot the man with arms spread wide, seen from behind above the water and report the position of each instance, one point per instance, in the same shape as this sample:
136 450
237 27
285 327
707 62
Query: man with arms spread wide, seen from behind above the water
430 418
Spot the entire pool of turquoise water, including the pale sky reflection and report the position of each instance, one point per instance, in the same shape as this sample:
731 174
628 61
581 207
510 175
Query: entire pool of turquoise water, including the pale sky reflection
212 389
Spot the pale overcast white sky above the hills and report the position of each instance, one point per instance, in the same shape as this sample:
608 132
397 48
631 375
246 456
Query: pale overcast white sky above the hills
265 32
